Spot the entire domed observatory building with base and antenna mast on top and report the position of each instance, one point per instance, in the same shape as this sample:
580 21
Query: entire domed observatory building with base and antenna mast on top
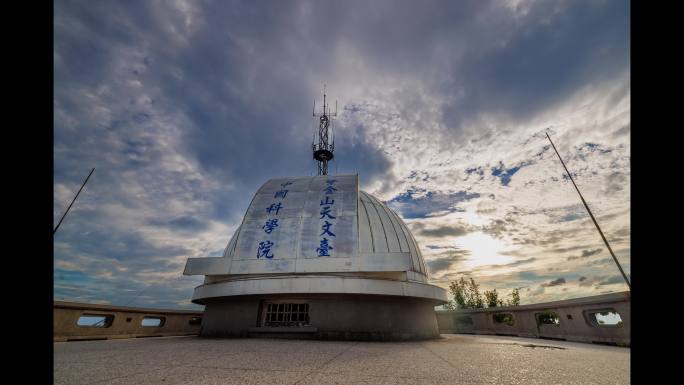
316 257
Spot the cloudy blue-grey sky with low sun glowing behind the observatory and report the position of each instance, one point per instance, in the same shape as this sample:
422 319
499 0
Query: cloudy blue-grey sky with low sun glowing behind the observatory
186 107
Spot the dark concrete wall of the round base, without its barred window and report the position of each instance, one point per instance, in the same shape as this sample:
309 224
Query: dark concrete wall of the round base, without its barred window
335 317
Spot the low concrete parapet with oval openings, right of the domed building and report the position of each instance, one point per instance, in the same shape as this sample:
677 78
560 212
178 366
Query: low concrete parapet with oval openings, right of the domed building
579 326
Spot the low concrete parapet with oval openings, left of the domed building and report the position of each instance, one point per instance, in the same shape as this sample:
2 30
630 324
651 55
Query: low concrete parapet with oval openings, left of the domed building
126 322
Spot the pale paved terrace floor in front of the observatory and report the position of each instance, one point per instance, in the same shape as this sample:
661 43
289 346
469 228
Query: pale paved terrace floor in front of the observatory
453 359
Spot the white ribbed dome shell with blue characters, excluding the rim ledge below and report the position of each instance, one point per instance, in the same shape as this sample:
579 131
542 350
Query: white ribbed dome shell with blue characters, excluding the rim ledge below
362 234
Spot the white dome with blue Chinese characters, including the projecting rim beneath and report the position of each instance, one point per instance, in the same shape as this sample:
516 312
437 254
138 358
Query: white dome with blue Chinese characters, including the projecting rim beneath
316 235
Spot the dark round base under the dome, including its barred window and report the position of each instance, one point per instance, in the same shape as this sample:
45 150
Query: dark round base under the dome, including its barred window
328 316
